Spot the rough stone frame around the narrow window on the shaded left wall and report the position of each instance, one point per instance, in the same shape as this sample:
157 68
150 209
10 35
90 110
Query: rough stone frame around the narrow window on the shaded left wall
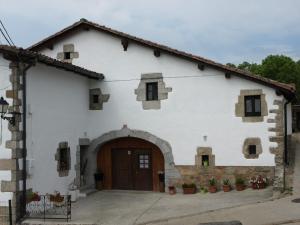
63 146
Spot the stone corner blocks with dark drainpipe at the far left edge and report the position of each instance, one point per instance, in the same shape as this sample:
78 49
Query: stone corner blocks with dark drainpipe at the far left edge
15 144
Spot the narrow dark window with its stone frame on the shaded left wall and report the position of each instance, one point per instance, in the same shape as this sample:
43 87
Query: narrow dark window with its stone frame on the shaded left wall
63 158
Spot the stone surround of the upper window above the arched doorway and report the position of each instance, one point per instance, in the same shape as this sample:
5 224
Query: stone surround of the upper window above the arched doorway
161 89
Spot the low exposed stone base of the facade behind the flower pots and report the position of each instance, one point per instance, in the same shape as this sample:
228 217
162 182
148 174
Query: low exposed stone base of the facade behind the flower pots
201 176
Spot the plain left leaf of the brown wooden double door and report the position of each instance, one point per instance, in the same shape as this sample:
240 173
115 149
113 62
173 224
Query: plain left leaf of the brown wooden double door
122 169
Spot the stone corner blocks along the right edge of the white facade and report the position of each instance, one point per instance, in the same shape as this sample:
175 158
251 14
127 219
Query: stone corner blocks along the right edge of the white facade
278 138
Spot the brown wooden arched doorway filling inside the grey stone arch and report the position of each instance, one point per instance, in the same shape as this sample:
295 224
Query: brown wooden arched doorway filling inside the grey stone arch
131 163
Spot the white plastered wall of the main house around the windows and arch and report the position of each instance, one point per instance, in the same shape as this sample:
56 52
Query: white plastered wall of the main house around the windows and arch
203 105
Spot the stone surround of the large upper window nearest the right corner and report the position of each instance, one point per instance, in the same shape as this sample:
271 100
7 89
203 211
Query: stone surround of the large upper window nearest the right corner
240 105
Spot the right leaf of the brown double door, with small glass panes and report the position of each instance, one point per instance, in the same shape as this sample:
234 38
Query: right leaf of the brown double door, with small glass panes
142 169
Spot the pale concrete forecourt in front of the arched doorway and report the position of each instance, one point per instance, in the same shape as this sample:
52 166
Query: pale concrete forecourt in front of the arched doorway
135 207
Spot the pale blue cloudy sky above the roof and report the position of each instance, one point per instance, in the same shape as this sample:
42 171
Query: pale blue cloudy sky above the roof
224 31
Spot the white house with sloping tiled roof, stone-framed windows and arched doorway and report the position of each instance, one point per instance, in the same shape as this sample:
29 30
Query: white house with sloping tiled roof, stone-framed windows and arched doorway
146 109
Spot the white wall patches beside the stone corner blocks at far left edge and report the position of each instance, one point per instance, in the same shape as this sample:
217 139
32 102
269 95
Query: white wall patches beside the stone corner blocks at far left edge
4 153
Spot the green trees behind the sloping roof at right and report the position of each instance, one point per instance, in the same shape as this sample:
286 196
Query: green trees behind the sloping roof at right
276 67
